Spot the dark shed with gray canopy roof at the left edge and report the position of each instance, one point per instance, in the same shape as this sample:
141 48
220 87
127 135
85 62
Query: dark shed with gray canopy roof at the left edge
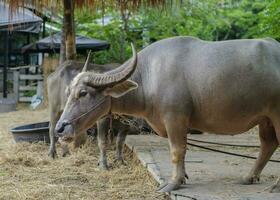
16 31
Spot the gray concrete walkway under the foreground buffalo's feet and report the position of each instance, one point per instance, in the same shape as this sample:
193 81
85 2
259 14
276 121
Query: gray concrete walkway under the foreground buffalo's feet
213 176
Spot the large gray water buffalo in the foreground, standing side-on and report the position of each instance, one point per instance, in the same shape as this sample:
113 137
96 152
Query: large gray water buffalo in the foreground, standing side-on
182 82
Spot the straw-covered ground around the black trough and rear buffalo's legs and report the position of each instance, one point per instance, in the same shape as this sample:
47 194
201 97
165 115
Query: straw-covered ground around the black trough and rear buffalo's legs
26 172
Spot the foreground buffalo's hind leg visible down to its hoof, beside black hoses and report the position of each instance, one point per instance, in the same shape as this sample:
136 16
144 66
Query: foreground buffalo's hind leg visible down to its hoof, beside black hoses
268 144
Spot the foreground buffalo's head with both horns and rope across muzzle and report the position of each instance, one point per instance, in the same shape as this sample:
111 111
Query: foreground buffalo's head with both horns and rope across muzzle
90 97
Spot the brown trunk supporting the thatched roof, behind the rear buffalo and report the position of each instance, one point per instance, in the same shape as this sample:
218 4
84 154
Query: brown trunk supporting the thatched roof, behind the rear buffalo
69 29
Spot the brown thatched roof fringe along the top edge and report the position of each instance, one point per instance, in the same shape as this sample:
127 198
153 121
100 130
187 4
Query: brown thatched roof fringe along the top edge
92 4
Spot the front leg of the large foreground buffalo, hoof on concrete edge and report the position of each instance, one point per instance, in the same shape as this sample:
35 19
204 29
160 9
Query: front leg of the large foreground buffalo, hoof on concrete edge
177 138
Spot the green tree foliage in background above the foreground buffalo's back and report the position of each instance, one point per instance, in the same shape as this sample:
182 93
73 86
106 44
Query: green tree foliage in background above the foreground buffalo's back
209 20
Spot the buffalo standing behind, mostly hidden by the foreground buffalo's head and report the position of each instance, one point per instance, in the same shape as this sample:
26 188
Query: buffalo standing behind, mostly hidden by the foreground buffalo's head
57 84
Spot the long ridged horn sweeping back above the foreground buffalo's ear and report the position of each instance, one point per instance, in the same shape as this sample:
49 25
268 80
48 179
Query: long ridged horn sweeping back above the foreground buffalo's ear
114 76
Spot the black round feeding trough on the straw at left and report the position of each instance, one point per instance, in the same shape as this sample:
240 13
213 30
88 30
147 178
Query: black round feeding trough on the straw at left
37 132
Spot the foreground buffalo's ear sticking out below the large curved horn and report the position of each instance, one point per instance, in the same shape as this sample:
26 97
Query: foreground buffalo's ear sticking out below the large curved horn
120 89
